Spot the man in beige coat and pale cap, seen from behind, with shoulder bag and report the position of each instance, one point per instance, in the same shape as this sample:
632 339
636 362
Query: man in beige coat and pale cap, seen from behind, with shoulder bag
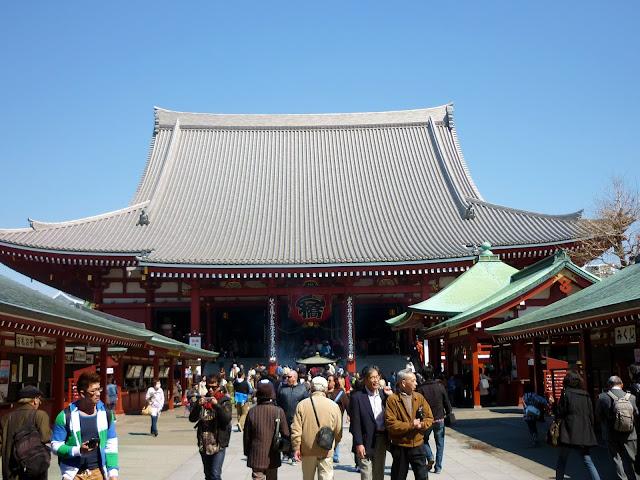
305 428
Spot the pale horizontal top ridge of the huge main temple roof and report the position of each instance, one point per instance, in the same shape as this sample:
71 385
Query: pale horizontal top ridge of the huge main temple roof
166 118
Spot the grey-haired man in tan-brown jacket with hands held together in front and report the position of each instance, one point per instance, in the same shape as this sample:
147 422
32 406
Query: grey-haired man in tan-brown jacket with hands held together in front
407 416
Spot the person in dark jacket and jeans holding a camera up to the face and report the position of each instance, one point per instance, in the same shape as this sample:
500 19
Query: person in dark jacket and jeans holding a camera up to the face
213 416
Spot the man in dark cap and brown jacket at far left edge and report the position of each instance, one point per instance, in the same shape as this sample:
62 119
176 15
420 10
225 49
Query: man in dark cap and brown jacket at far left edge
29 398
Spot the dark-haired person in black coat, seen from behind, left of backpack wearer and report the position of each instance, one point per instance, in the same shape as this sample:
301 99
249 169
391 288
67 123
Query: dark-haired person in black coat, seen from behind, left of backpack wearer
575 412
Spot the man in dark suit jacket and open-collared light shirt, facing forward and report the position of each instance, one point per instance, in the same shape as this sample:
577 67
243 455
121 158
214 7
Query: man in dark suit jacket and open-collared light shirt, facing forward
366 410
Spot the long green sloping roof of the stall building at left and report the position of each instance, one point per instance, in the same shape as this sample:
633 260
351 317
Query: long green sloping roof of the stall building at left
18 299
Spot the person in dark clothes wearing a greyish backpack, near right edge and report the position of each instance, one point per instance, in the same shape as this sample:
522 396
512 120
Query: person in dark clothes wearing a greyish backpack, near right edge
622 445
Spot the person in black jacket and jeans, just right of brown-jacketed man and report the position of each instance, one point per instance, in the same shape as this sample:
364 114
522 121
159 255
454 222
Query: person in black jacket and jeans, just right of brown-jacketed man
438 399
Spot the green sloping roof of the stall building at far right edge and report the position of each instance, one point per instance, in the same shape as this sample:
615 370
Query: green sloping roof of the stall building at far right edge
615 295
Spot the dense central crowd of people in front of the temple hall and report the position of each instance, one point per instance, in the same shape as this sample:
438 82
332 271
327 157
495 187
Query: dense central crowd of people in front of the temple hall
307 402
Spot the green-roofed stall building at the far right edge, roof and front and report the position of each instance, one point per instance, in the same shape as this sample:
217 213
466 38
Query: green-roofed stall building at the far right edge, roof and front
593 331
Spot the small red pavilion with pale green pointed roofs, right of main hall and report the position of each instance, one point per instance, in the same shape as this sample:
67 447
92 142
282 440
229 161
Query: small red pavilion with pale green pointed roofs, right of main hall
453 323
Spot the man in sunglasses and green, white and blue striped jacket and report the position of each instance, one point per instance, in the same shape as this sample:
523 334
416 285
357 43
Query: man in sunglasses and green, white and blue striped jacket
84 435
